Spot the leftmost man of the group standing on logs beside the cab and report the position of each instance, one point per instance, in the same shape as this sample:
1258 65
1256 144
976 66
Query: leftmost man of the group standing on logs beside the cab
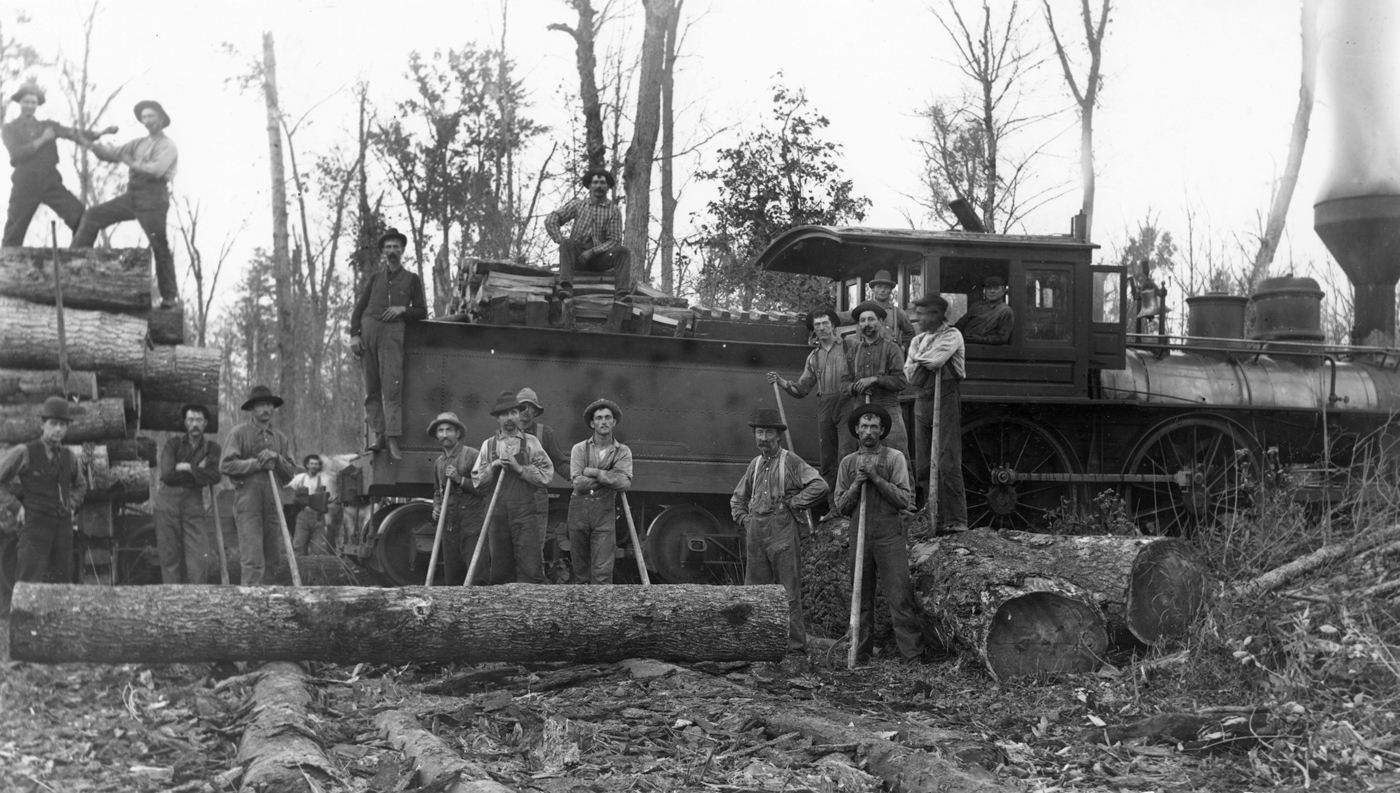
829 372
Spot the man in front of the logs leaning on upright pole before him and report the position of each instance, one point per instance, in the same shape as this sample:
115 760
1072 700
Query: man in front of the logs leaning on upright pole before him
884 474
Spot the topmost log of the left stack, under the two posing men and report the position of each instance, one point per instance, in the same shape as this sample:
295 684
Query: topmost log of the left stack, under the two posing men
106 280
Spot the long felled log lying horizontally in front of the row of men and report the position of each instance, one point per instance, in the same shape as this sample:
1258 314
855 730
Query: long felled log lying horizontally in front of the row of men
516 623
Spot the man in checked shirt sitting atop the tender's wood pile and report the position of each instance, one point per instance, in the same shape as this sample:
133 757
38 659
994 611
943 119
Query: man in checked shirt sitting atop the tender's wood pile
594 242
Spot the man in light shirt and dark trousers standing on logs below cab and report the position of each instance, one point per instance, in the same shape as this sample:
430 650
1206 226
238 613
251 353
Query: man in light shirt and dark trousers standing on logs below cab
937 354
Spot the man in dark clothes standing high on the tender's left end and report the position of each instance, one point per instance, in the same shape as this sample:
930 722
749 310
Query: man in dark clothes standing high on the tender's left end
390 298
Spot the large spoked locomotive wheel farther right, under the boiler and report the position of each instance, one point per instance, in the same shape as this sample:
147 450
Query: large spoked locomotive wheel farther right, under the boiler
1195 473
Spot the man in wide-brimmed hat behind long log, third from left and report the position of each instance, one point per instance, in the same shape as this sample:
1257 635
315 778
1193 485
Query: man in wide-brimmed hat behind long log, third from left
253 449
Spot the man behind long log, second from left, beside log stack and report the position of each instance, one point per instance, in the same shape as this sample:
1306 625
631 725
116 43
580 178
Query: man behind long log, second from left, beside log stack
190 467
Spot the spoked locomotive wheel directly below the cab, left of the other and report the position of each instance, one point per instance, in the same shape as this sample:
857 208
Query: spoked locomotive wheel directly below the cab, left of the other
1014 473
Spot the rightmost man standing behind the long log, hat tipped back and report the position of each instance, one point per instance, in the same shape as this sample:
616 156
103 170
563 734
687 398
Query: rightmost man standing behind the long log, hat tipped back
600 467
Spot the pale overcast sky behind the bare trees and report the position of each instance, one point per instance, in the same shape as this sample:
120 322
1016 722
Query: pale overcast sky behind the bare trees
1196 111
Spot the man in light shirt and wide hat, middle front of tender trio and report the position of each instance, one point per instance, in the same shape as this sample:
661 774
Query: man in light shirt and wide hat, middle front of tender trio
523 502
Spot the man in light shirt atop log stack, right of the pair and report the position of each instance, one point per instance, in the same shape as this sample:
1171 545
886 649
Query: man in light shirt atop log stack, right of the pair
152 163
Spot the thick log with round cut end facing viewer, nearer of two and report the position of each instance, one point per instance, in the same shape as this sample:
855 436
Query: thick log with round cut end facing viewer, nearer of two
1018 619
